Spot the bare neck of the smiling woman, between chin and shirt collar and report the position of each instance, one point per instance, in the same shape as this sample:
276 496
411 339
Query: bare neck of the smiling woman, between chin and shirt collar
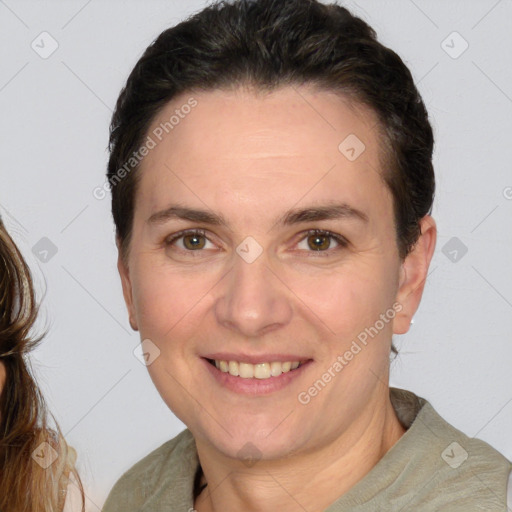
309 481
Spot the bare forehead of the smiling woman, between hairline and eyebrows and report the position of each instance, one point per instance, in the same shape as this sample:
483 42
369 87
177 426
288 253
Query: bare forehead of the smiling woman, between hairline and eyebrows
258 150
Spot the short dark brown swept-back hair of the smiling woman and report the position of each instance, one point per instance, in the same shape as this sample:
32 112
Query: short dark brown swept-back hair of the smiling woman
272 43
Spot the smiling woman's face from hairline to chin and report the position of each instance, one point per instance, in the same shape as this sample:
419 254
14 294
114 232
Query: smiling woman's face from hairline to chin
264 233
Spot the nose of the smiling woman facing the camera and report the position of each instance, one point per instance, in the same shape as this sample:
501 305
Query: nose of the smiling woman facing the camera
253 300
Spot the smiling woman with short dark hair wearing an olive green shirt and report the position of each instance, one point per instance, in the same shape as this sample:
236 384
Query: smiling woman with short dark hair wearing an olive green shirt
272 184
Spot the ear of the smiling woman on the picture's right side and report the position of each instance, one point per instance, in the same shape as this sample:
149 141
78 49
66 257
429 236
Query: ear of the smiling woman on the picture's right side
413 275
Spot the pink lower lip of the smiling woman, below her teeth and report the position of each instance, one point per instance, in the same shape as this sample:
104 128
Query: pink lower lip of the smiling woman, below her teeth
255 386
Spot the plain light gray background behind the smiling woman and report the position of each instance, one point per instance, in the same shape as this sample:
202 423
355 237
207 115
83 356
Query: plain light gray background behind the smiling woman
54 122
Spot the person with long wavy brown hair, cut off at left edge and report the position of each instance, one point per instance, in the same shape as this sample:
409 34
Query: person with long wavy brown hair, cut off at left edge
36 465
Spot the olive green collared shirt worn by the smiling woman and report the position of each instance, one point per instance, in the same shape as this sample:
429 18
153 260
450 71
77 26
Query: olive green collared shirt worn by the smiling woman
432 467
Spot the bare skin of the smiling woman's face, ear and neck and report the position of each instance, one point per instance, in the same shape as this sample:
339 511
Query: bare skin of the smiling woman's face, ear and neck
252 157
